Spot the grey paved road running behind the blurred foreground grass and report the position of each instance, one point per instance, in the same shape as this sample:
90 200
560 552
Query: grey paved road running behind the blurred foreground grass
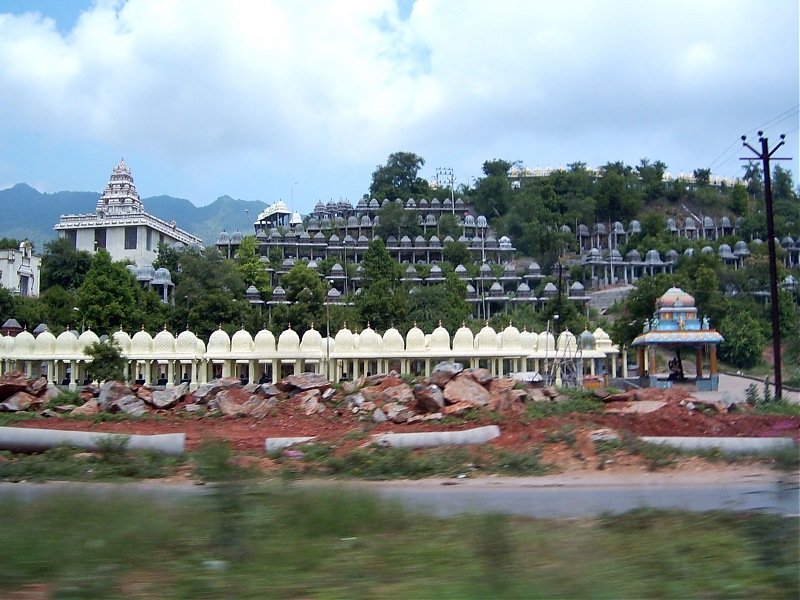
556 496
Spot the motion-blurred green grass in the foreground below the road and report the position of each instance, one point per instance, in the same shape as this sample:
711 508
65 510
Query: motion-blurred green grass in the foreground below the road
289 542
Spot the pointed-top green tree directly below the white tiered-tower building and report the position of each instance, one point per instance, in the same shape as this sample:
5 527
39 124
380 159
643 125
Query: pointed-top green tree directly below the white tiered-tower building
107 297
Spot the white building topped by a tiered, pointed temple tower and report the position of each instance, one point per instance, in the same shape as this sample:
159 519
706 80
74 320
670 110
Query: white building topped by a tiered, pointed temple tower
121 225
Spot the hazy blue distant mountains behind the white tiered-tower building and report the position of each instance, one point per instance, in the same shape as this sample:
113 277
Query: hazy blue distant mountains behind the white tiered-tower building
26 213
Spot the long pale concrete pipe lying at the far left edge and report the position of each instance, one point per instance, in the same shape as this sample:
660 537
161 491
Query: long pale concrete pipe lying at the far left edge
18 439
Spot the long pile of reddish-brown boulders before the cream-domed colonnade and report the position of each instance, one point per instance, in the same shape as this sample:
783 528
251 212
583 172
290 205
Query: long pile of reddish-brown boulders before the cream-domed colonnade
450 390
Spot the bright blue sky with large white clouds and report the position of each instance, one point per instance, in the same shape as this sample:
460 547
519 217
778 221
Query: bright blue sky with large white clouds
300 100
